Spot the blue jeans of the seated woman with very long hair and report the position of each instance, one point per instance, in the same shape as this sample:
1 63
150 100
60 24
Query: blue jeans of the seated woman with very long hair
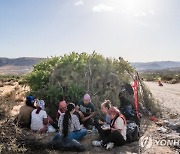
78 135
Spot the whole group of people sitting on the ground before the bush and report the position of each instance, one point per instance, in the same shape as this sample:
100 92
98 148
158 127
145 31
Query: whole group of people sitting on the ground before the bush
74 121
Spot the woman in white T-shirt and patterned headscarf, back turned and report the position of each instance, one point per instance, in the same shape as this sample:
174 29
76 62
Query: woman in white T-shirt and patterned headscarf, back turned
39 118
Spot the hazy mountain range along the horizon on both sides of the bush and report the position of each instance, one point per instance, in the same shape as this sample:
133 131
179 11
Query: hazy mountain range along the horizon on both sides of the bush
23 65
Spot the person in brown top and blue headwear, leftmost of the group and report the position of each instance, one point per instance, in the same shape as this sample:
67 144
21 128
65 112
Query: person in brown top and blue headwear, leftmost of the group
24 116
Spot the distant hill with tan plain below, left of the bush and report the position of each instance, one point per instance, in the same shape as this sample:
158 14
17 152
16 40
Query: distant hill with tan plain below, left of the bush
17 66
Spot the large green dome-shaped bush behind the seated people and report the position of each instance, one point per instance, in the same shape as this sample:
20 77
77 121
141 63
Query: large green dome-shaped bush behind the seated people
69 77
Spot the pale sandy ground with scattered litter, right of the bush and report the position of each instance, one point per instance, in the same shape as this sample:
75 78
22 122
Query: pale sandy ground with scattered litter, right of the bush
168 97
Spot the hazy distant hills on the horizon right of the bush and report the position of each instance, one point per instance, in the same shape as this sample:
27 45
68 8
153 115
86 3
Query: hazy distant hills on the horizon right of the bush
159 65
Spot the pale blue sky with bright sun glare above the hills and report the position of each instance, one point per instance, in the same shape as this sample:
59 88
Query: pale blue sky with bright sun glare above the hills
138 30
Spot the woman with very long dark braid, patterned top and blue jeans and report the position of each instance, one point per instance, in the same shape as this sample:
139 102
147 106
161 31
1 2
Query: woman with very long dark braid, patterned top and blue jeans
69 124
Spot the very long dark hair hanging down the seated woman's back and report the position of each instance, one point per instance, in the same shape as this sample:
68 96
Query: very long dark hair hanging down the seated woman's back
67 118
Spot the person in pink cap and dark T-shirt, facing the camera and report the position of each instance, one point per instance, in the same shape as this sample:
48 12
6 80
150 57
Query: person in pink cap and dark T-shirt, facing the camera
85 111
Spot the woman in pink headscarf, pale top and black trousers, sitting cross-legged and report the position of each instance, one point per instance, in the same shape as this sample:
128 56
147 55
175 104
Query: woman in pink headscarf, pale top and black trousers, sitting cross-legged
117 133
